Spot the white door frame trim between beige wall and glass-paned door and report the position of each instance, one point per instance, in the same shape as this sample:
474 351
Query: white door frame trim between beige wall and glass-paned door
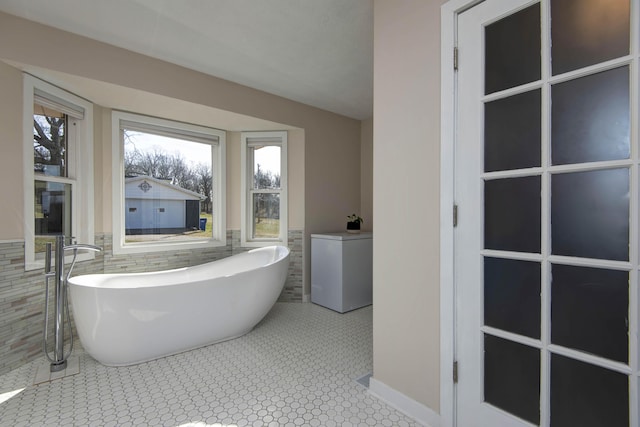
448 101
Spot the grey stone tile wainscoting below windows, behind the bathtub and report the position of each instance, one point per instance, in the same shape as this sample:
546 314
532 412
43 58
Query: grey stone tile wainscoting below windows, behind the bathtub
22 292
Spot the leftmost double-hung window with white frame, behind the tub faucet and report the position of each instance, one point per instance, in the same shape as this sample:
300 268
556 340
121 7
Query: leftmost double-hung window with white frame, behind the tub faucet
58 173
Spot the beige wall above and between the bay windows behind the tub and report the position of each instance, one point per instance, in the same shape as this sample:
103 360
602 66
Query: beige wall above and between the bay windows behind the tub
330 187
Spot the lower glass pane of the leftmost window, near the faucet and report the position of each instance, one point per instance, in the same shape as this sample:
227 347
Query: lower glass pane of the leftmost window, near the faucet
52 212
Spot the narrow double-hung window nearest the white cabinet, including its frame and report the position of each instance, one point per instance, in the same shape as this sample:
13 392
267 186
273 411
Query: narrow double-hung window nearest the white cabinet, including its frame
264 183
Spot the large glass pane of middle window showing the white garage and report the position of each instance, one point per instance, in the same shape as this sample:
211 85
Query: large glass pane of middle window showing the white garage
168 188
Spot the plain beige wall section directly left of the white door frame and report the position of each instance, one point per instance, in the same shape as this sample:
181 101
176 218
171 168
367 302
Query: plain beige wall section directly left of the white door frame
405 197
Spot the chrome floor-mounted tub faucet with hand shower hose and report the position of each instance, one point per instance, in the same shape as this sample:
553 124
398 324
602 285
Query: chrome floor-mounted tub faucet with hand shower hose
59 359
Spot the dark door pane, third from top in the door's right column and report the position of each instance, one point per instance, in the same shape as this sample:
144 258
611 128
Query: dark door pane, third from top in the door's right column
590 214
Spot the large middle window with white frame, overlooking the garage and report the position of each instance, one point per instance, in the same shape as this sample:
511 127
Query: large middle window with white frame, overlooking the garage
168 180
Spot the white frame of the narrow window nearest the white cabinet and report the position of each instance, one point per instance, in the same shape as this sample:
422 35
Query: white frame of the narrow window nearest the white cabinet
272 138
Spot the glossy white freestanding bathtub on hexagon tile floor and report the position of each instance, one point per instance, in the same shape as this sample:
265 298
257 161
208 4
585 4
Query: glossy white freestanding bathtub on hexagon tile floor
124 319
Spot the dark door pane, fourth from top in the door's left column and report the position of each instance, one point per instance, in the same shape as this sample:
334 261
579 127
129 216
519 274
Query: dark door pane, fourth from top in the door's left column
512 296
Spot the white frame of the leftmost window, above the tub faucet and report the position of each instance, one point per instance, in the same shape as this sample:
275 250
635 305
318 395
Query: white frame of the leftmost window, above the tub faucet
79 163
